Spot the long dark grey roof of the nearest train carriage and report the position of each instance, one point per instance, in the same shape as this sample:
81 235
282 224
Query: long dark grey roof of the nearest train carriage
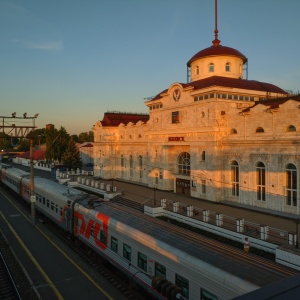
174 243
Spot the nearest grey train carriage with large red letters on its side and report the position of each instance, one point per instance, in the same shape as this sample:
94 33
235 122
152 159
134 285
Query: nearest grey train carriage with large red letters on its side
144 249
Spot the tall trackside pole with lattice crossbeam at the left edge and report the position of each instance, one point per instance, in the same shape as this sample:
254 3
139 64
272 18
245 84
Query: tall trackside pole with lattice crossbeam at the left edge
10 128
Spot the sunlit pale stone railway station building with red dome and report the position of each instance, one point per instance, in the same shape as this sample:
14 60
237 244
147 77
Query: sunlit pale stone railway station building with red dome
219 137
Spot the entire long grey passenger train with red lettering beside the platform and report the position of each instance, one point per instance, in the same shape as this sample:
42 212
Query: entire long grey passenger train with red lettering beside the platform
150 252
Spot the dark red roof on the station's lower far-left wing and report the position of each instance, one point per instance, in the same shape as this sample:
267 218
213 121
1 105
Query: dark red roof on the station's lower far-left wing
115 119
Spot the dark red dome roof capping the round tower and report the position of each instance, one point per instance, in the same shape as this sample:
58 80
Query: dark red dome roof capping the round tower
217 51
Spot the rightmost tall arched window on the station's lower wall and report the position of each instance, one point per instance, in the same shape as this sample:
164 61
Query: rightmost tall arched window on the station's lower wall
291 185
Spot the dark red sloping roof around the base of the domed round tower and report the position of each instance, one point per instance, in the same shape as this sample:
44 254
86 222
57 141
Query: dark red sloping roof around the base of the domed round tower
232 83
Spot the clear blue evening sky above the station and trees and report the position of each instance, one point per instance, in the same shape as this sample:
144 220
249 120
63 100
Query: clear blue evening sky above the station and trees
72 60
